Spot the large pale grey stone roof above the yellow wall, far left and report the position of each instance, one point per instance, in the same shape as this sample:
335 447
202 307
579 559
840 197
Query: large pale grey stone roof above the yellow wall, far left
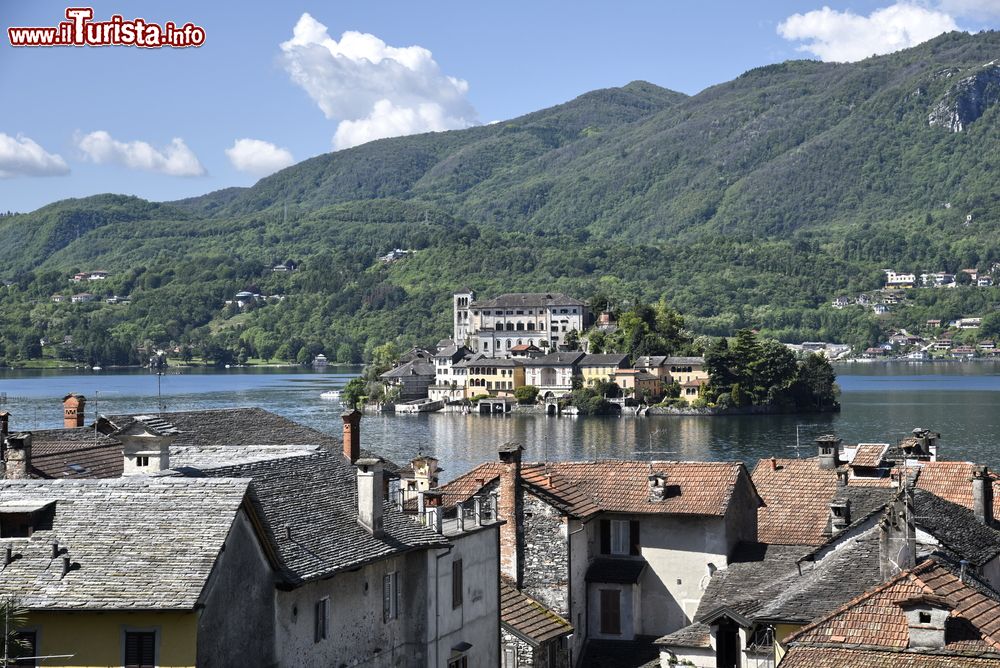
135 543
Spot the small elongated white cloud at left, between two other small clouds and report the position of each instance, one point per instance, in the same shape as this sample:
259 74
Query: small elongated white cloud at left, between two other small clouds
176 159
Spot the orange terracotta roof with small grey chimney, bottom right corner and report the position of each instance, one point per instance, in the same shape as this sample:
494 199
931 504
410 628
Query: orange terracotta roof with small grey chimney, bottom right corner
875 620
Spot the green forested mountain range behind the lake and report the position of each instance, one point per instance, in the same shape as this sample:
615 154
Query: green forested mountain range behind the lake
751 204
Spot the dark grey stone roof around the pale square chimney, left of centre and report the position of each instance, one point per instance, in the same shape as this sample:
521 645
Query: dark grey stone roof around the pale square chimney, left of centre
316 498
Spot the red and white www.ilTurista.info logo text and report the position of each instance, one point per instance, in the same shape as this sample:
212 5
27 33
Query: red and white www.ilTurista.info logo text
81 30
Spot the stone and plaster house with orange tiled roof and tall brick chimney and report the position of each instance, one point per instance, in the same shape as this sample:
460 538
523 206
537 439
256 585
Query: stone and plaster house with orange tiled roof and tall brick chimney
617 548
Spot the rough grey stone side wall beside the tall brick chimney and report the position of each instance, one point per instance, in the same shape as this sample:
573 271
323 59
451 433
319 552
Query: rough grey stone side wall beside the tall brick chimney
546 558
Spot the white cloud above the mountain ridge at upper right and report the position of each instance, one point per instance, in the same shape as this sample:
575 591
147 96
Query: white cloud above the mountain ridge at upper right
845 37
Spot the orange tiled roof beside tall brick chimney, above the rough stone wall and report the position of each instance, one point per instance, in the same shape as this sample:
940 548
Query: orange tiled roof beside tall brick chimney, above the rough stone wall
582 489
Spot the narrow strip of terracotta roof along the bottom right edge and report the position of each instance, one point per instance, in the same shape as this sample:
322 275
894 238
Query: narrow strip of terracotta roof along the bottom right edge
827 657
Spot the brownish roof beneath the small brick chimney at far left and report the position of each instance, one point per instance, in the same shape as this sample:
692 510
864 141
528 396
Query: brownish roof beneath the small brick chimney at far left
92 454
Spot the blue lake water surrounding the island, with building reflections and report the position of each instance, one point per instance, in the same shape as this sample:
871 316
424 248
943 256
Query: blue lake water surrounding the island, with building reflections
880 403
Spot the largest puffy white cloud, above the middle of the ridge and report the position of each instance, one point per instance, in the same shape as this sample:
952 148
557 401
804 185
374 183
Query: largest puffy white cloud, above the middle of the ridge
372 89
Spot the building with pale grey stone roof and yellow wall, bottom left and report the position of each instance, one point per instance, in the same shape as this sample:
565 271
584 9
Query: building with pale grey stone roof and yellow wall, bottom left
138 571
